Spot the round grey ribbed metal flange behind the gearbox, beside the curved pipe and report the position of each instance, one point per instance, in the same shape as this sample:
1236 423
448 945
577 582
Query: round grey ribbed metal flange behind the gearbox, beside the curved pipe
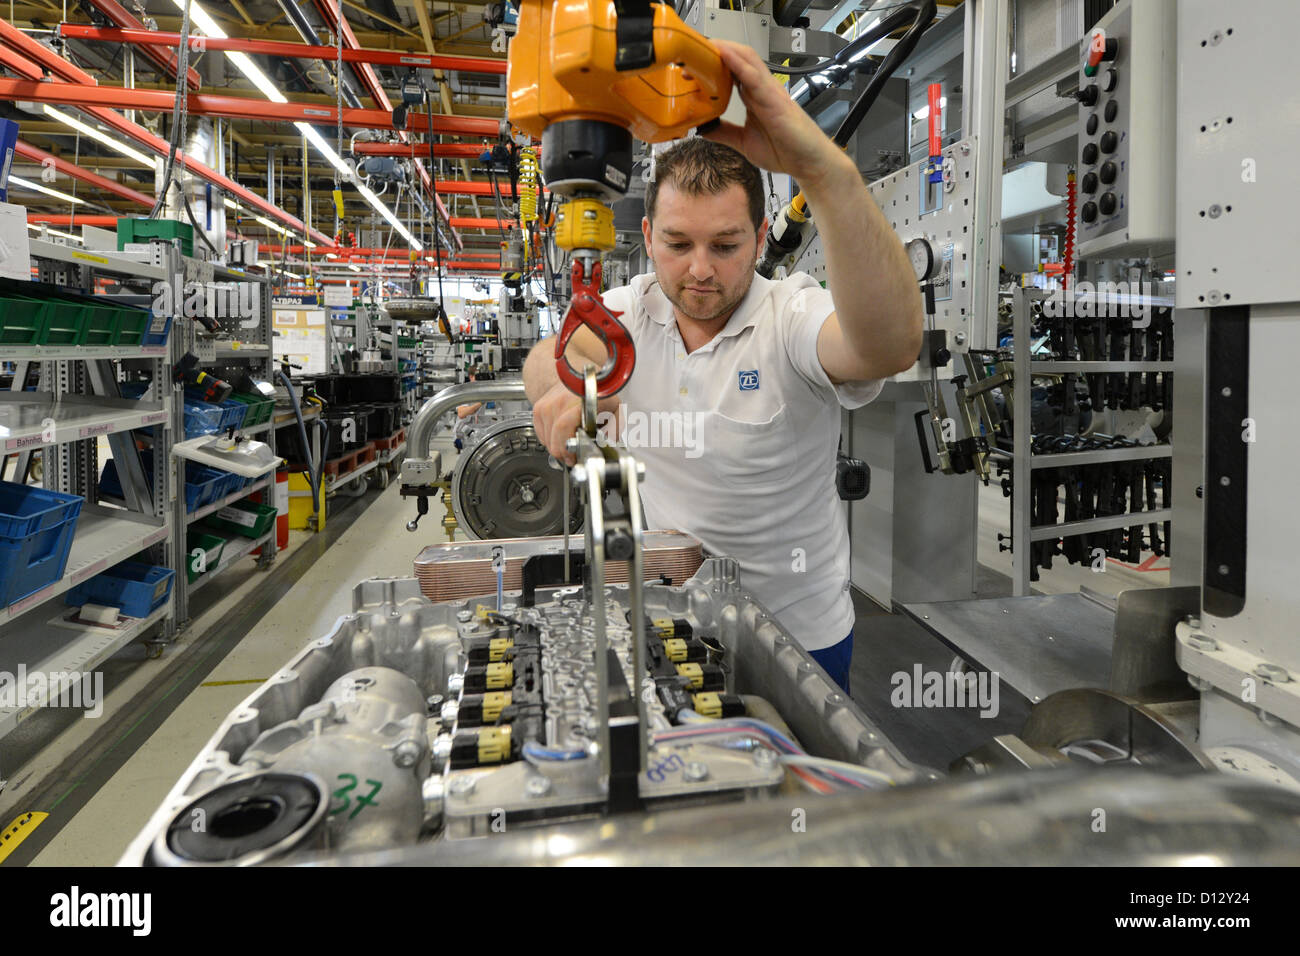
505 487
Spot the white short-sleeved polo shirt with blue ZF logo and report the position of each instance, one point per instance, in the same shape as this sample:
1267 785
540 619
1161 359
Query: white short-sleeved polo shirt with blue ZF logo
749 464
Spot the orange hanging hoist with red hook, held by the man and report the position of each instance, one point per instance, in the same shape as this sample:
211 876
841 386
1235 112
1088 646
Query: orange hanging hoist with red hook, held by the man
584 79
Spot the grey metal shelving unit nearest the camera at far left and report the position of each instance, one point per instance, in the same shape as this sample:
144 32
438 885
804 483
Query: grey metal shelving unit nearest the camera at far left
76 404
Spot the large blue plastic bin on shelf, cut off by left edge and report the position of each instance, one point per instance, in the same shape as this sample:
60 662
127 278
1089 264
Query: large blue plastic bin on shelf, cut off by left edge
37 531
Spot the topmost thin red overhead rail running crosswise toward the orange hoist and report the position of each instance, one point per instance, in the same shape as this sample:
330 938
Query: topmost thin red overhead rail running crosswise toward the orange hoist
301 51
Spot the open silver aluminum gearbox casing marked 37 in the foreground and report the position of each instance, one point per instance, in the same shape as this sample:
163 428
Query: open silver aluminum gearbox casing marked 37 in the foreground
363 719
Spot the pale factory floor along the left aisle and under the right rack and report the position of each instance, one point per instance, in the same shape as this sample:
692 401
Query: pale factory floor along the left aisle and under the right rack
376 546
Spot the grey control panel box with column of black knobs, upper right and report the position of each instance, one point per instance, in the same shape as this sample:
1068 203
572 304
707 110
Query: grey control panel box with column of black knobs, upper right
1126 132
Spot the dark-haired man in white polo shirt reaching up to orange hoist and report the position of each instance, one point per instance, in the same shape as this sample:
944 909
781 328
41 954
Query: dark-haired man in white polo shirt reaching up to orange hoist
756 370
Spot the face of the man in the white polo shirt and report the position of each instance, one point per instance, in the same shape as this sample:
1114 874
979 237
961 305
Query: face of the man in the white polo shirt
704 250
